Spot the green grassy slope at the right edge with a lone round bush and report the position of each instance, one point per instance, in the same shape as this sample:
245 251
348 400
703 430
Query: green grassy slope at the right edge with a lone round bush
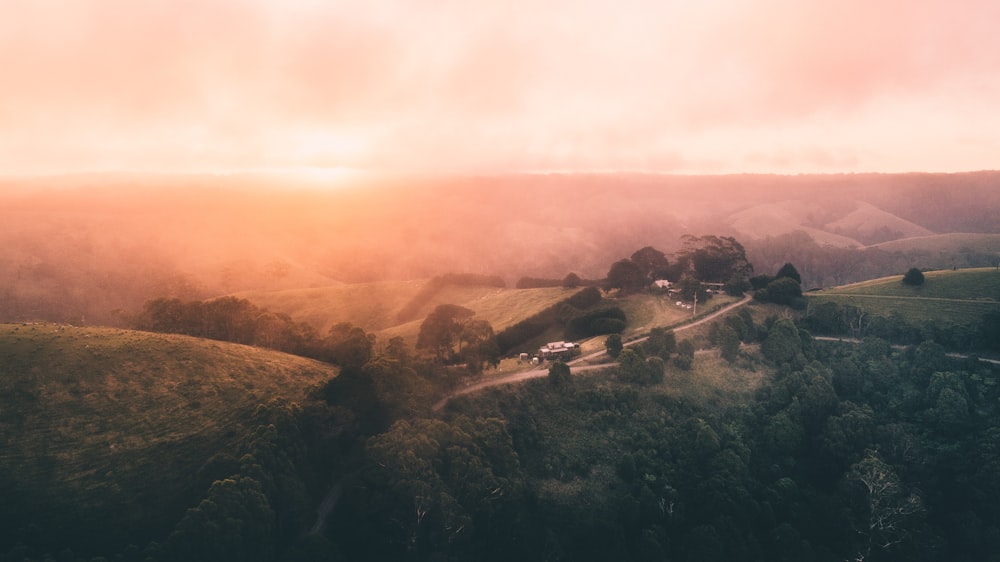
957 297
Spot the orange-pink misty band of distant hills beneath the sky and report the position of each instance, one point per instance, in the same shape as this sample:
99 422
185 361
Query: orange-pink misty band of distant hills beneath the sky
89 249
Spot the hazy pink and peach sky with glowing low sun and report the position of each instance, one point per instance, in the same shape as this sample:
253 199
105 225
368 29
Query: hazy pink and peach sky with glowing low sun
706 86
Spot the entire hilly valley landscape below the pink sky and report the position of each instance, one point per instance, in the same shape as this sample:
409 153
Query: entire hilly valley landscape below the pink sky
192 382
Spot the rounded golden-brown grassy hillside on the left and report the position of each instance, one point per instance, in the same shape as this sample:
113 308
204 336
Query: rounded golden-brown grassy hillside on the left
113 425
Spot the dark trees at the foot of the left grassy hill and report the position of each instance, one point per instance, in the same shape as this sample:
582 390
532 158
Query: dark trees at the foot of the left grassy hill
249 502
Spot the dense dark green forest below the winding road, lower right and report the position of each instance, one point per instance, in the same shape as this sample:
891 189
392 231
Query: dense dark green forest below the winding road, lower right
844 452
